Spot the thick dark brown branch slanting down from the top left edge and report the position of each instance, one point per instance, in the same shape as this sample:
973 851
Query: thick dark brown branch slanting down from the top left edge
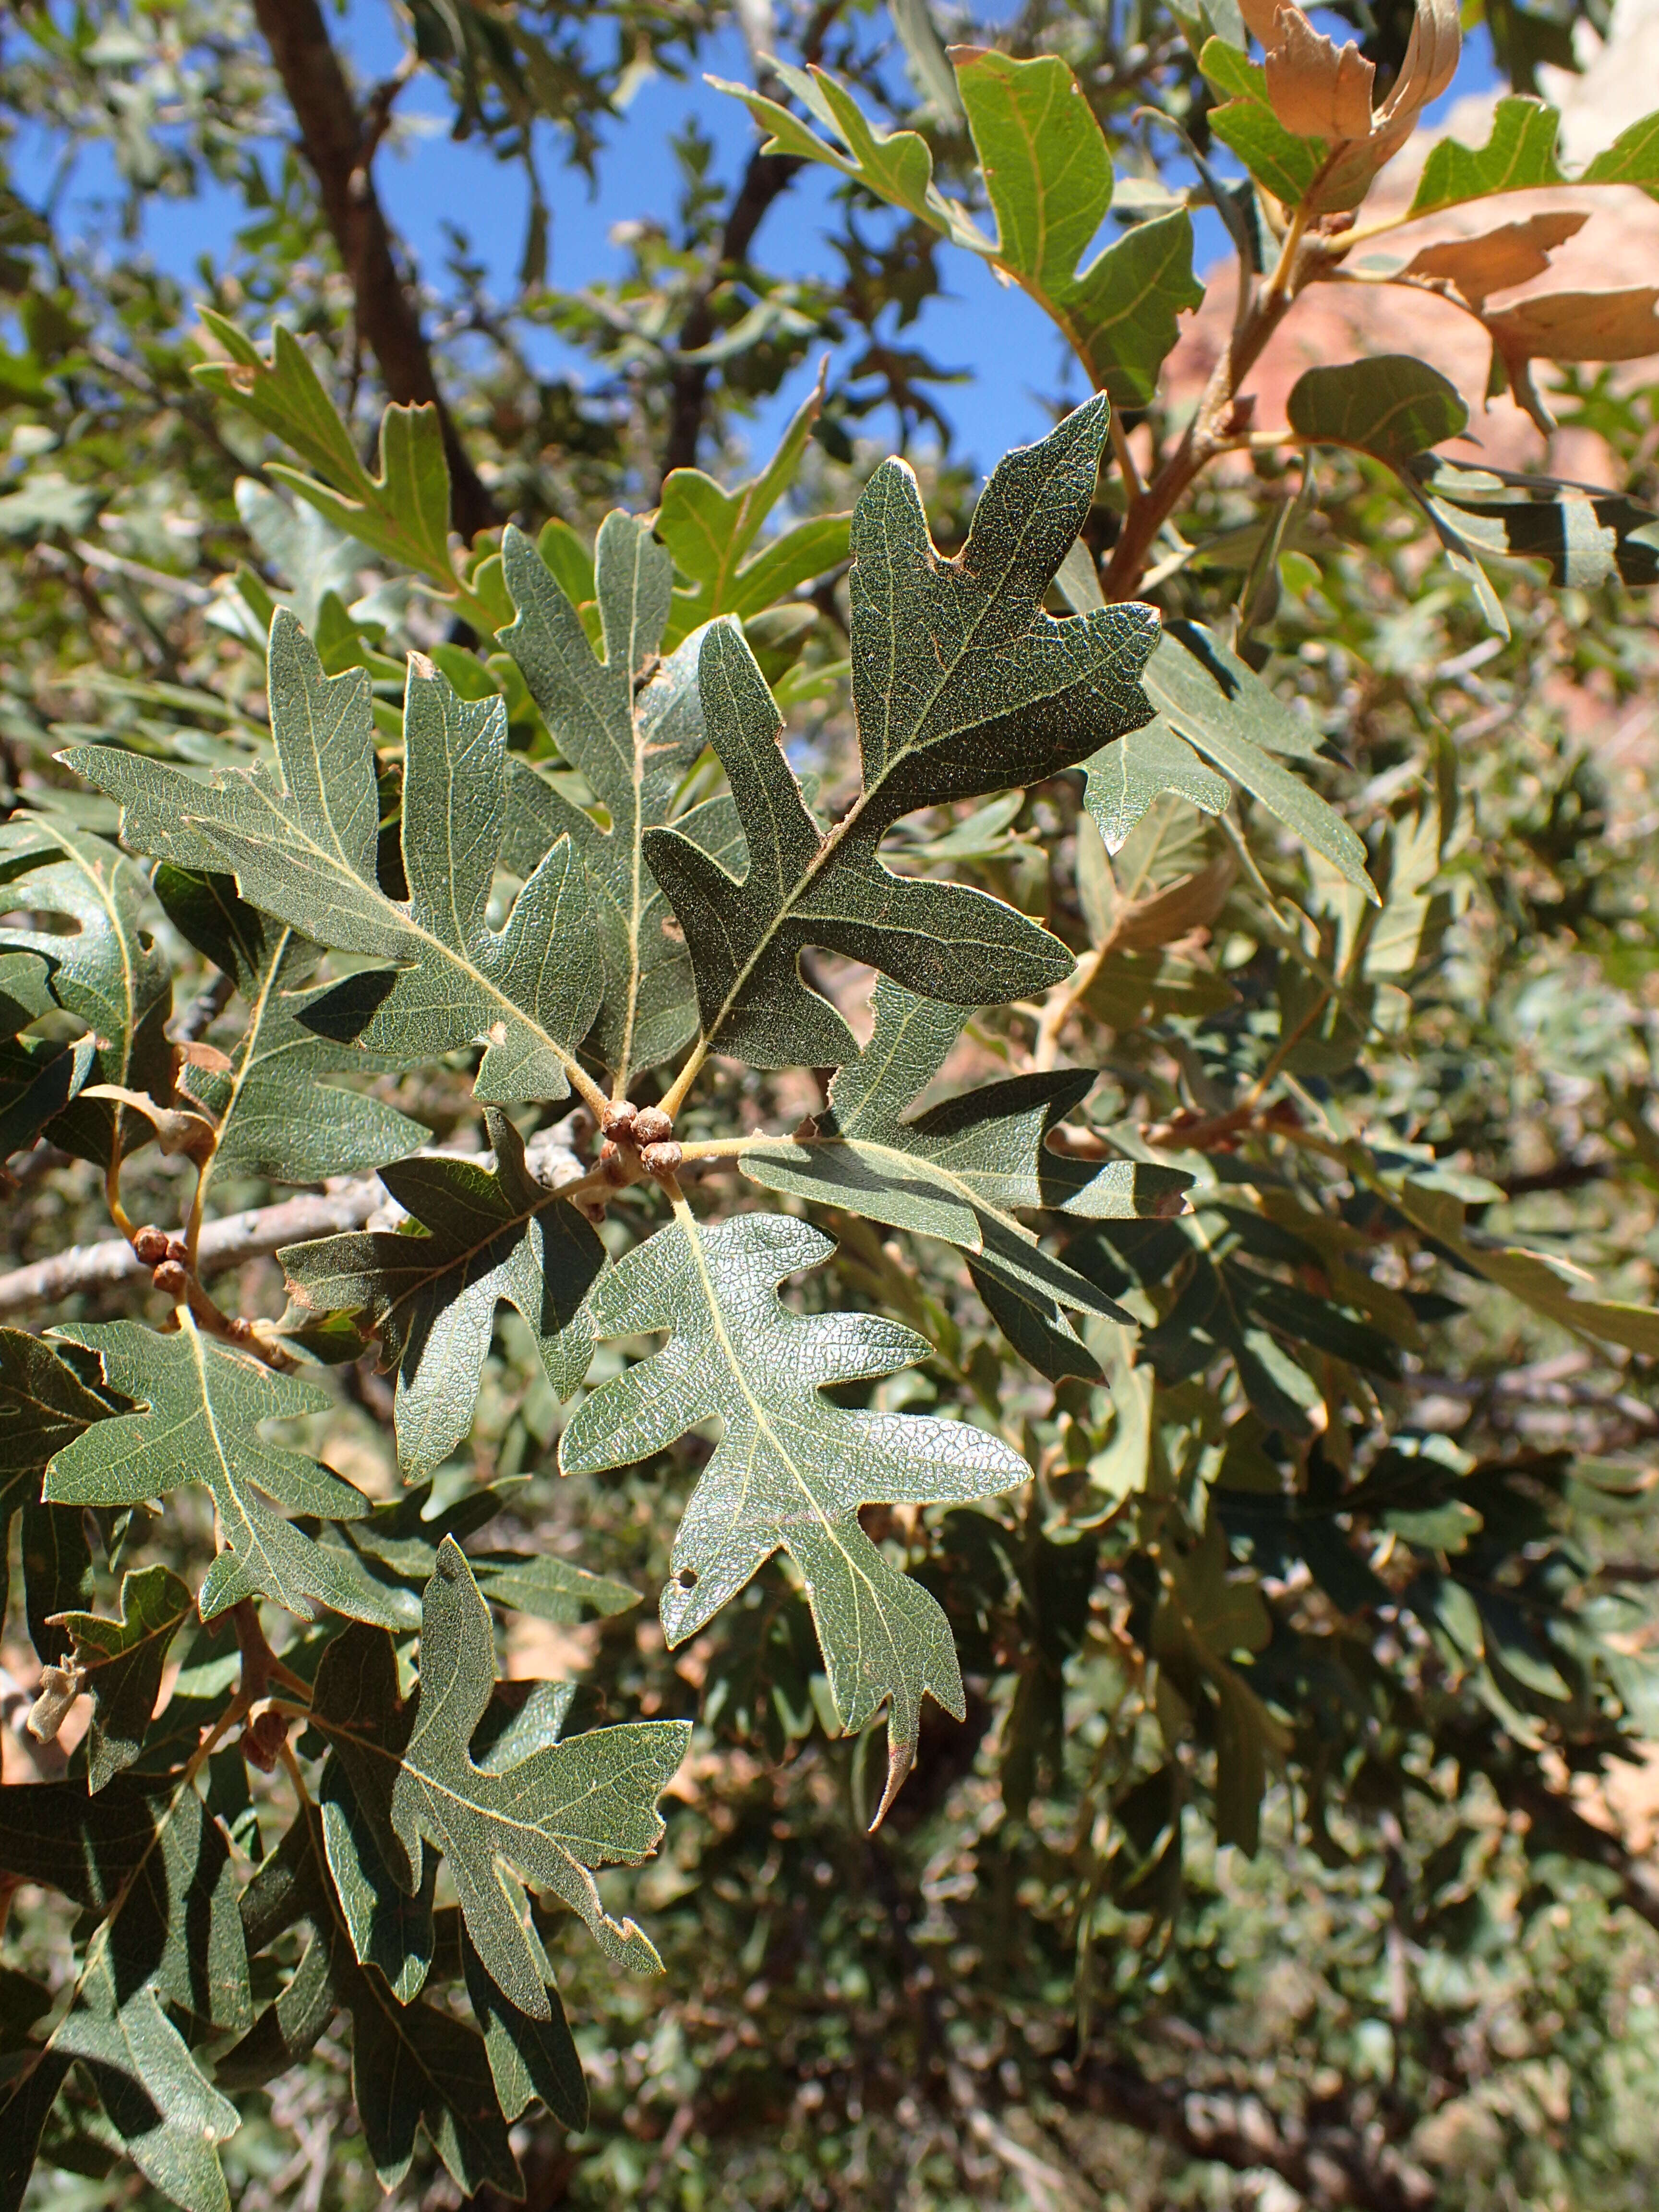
340 145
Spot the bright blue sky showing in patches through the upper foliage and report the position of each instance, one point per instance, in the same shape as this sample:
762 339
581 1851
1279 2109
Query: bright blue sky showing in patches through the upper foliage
426 180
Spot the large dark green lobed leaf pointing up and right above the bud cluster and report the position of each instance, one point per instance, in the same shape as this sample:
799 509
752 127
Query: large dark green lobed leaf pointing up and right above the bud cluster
963 687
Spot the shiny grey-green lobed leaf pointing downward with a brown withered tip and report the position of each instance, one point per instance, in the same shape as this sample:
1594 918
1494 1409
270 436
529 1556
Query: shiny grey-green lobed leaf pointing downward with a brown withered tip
791 1470
